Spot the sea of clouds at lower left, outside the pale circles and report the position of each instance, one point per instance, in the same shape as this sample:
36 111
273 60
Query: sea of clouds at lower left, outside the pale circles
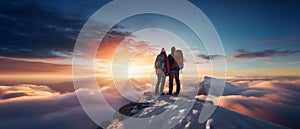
28 106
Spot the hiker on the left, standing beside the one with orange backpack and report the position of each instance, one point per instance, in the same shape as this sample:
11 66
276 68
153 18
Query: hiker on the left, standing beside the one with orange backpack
162 69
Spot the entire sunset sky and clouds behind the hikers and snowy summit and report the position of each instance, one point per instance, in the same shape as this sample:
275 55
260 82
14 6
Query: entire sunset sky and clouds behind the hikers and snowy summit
53 54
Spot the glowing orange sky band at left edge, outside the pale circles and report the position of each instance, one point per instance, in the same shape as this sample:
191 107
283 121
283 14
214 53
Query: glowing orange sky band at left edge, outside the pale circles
20 71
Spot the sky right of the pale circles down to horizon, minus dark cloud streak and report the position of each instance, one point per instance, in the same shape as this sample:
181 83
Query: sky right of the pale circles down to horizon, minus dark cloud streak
257 26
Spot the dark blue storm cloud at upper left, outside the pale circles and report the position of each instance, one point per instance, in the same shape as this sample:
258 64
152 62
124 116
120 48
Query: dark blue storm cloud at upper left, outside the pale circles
33 29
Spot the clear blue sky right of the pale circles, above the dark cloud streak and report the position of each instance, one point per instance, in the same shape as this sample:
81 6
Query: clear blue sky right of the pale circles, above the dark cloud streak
241 23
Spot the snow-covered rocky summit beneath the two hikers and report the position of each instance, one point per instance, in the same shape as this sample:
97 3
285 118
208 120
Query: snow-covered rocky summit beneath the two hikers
150 107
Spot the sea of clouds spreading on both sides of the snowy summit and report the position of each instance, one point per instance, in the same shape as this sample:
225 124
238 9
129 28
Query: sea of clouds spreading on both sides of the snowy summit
273 99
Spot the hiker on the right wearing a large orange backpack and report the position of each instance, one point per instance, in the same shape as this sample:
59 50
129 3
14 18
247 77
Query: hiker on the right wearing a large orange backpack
176 64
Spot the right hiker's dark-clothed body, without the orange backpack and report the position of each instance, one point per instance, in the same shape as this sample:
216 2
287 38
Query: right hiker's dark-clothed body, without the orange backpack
174 72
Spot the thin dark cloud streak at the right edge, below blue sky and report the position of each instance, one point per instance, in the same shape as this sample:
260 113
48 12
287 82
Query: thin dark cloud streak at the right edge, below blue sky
244 54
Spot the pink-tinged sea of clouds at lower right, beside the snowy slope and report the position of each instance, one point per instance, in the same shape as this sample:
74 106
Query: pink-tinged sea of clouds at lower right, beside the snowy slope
271 99
